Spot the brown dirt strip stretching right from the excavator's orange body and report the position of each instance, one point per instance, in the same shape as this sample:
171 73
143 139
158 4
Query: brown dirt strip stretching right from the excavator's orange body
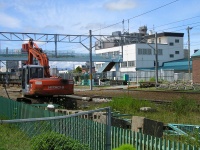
139 94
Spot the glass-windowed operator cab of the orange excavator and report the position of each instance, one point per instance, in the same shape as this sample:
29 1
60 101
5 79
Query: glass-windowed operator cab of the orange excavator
30 72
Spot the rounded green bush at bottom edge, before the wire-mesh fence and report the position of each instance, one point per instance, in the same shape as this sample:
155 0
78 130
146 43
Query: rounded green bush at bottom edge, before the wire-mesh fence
55 141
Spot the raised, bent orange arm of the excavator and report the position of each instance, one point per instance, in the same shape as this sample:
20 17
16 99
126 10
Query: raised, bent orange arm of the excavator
35 52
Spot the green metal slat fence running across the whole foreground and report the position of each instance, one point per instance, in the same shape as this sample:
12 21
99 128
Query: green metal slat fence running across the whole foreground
98 136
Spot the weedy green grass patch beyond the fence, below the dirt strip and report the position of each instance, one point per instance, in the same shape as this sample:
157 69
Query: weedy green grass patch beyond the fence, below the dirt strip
182 110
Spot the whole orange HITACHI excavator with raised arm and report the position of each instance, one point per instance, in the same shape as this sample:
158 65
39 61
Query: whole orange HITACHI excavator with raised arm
36 79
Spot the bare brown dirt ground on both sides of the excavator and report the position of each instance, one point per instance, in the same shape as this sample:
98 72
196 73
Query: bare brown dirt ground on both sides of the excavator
15 91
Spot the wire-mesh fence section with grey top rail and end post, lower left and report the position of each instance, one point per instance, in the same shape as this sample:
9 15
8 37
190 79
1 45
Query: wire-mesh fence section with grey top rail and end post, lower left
85 131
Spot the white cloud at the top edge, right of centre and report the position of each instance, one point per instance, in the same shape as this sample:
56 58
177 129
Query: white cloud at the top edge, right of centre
120 5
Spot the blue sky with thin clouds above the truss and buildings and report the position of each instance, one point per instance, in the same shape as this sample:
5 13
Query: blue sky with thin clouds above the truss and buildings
77 17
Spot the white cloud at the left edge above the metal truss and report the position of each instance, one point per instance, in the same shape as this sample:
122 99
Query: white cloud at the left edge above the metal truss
8 21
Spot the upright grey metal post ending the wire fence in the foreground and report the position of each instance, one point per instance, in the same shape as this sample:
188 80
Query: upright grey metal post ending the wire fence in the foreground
108 130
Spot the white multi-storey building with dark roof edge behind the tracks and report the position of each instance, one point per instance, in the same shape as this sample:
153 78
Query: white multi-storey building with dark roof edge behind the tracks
141 55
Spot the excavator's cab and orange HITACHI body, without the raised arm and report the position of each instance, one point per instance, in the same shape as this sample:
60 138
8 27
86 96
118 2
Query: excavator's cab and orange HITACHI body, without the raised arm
34 83
